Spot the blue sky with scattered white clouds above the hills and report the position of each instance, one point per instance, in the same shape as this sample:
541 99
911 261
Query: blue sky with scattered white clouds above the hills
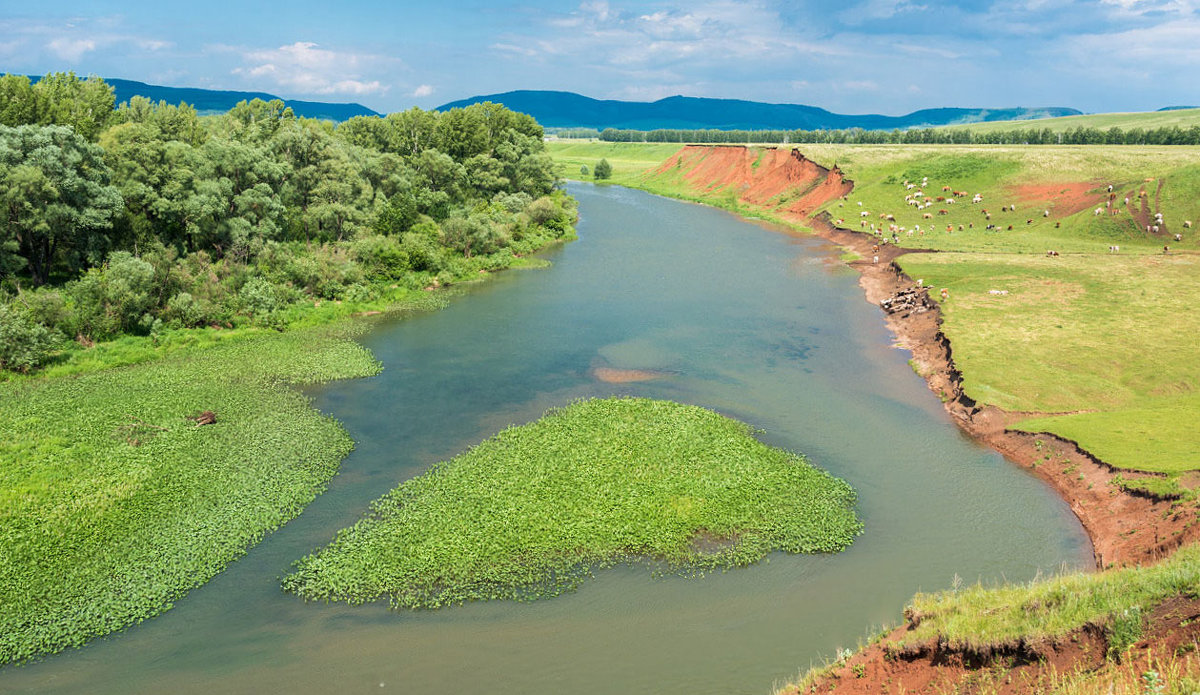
886 57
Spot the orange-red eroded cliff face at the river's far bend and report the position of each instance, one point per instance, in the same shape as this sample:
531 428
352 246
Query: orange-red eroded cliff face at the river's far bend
775 178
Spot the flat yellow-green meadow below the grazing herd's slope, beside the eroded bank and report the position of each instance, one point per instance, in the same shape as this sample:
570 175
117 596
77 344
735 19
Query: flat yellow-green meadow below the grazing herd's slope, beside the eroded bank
1111 339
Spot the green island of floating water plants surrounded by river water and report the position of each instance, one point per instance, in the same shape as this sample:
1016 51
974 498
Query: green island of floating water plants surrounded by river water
531 512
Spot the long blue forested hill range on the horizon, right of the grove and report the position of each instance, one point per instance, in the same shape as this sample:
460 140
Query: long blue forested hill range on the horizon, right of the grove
569 110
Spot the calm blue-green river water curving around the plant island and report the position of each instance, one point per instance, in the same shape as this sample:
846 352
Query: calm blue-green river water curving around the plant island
757 323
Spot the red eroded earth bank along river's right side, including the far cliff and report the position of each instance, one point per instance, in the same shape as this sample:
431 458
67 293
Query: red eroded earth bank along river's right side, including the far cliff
782 185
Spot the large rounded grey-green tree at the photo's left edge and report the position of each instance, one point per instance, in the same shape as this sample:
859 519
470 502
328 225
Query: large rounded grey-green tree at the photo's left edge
56 196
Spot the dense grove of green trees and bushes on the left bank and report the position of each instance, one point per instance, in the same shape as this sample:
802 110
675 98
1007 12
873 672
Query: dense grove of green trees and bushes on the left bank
148 217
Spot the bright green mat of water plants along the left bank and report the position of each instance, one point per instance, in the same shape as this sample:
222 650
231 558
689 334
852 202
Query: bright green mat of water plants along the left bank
116 498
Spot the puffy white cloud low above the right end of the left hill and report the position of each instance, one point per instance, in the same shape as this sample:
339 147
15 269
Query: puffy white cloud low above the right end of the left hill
309 69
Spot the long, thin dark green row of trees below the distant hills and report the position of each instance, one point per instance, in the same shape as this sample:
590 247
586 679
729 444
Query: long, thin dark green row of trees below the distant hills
1031 136
